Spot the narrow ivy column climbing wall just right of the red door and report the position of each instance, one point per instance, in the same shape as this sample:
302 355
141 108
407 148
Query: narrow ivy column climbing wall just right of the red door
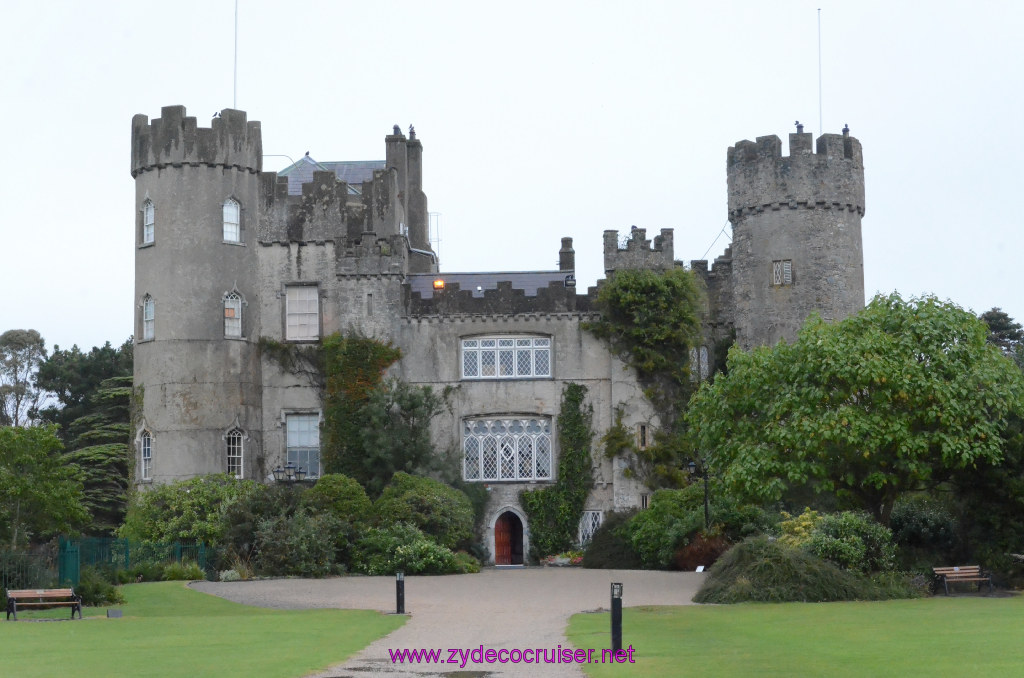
556 512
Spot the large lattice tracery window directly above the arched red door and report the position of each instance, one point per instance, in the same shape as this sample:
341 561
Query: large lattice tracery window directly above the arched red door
517 449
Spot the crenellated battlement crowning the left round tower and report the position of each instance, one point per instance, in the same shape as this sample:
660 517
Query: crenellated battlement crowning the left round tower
176 140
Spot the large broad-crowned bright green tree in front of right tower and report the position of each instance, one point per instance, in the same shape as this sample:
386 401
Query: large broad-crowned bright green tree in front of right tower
895 399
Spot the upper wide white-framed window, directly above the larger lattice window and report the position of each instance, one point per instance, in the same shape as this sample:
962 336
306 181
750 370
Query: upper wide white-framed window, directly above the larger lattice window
506 357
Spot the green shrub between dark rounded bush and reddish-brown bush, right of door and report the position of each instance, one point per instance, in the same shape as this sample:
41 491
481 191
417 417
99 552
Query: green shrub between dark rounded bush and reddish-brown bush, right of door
674 516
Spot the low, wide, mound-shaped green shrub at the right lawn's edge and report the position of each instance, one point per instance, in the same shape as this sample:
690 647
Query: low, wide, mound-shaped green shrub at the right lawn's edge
763 570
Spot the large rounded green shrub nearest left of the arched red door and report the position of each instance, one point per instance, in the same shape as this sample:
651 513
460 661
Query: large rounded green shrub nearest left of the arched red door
440 512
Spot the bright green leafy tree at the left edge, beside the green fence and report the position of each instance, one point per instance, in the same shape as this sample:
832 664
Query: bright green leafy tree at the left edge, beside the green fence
40 495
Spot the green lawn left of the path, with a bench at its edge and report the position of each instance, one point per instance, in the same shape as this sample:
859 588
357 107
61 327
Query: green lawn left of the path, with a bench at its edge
169 630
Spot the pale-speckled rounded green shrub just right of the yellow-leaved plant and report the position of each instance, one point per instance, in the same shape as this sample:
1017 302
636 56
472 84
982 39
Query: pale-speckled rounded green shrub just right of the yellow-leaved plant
854 541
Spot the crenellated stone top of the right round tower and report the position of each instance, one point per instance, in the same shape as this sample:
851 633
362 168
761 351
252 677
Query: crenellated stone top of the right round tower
760 178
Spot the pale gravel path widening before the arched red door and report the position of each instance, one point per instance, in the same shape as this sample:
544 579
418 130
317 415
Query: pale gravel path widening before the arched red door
498 609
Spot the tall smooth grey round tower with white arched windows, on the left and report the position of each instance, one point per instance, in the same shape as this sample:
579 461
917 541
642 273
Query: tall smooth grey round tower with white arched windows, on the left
197 296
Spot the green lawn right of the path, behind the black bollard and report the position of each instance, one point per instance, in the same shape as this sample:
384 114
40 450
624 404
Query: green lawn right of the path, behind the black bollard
935 638
